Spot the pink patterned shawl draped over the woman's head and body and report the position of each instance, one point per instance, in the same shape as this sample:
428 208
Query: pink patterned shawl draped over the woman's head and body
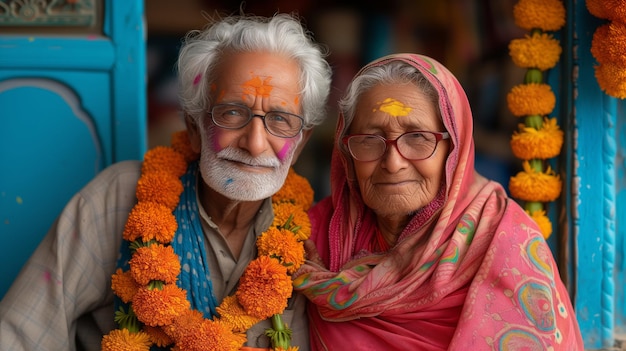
470 272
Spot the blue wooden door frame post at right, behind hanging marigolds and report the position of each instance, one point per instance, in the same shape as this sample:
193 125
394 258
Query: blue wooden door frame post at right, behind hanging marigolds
594 196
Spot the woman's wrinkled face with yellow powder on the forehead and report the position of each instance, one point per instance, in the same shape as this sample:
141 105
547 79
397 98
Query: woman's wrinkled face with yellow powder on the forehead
392 185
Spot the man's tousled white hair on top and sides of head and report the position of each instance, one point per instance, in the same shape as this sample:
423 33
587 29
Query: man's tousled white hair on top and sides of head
282 33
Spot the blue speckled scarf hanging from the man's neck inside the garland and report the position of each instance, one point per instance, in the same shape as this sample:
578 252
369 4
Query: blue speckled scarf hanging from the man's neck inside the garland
188 244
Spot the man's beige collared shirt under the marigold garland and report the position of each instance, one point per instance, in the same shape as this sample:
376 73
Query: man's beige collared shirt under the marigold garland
62 298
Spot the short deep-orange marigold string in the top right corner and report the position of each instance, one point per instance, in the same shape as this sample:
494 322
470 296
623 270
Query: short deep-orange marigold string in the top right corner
608 46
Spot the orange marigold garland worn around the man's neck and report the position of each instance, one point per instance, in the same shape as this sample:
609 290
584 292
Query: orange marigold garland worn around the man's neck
159 311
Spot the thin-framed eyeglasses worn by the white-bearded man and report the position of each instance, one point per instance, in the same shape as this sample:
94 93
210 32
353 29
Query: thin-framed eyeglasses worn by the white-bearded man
277 123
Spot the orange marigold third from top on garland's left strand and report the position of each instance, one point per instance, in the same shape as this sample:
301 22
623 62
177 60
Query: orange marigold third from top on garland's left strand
160 187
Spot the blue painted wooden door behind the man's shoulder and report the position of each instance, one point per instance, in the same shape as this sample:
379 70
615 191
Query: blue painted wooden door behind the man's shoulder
72 101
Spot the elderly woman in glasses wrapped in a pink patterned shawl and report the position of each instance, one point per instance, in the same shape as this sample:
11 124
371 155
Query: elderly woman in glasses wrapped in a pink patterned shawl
423 253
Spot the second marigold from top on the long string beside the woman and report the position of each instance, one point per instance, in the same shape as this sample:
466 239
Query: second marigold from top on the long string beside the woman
539 51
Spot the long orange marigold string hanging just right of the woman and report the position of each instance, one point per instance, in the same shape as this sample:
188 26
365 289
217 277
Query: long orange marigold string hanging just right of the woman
539 137
